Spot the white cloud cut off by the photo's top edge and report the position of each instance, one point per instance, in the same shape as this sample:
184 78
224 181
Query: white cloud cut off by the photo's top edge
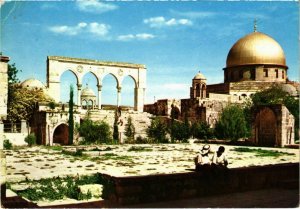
95 6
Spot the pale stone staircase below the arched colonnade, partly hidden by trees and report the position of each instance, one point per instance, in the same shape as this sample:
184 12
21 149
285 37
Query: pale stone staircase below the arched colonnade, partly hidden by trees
140 120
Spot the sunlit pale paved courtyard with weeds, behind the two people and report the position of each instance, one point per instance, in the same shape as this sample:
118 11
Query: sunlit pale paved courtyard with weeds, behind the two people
127 160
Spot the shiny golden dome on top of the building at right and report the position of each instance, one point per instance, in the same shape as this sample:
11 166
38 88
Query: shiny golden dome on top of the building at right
256 48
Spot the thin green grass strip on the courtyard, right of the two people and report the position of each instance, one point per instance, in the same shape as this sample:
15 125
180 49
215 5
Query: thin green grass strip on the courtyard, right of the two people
262 153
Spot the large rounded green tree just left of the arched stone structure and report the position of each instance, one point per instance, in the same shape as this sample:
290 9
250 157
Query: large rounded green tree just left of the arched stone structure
232 123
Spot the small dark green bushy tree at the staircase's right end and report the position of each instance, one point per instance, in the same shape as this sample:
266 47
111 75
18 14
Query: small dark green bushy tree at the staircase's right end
157 131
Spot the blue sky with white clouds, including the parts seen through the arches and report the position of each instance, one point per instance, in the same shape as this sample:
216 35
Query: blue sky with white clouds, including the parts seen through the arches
173 39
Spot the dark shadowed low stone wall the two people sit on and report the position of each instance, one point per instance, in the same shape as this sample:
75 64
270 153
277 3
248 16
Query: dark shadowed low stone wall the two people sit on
153 188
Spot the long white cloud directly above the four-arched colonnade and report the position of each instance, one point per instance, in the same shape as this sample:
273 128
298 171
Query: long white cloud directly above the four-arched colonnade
94 28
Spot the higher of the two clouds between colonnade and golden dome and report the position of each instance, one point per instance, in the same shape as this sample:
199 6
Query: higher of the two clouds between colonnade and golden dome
158 22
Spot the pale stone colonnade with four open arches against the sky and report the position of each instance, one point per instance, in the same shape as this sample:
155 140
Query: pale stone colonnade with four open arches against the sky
57 65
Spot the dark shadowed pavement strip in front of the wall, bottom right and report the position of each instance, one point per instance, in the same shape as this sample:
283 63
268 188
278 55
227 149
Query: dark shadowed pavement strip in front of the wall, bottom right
270 198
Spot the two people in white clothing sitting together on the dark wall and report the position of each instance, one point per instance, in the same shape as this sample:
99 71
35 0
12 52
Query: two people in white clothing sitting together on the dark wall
204 161
